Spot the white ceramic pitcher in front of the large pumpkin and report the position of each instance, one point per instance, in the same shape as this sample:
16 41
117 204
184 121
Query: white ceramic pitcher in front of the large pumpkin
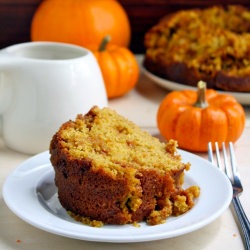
42 85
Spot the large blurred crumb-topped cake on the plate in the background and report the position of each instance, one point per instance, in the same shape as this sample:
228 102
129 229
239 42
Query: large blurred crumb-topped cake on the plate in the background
211 44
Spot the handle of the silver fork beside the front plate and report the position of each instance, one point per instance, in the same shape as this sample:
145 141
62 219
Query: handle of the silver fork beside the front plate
244 222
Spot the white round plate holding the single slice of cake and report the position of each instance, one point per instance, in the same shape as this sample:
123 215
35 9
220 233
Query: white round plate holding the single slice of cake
31 194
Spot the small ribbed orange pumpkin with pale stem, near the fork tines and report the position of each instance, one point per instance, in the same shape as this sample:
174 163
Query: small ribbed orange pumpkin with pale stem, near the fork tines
195 118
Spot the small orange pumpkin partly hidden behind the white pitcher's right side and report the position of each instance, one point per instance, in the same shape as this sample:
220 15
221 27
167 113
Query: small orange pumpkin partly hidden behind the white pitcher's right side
119 68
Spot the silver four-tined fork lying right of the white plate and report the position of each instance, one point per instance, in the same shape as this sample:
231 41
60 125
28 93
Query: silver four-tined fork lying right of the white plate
236 184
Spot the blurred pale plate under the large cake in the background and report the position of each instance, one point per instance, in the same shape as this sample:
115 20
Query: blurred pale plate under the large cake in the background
241 97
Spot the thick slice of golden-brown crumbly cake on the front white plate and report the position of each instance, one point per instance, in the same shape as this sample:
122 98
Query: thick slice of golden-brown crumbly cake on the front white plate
109 171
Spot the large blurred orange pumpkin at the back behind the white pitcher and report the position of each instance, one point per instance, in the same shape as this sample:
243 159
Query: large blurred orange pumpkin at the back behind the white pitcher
81 22
